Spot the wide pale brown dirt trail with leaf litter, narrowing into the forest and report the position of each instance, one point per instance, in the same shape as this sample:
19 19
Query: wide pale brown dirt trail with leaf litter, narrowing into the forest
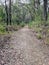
24 48
